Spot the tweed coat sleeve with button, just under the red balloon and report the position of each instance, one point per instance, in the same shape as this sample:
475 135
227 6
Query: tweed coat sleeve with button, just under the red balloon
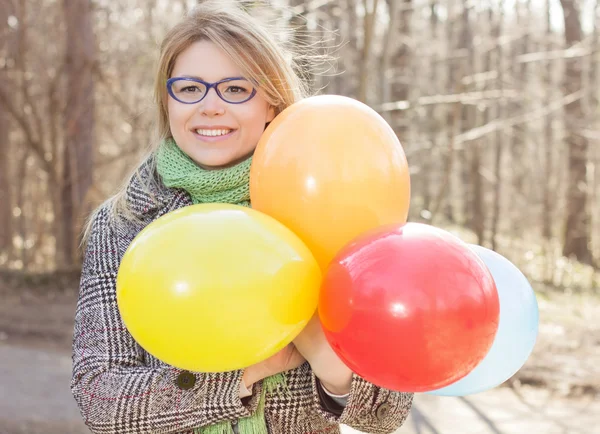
370 409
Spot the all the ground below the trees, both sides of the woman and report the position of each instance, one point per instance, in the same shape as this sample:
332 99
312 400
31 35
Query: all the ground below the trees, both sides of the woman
557 391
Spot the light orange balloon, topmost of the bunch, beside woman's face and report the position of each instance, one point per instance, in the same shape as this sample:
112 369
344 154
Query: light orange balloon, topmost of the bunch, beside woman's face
330 168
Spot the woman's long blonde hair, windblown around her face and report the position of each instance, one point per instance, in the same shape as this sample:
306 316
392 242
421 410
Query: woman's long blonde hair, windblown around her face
270 63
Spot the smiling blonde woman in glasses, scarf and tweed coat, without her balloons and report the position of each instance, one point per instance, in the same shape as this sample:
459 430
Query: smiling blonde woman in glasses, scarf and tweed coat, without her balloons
221 79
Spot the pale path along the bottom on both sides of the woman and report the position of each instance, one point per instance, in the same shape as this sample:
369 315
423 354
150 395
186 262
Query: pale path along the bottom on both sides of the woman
36 400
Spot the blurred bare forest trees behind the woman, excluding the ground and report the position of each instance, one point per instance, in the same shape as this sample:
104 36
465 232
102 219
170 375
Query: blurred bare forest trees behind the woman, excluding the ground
495 102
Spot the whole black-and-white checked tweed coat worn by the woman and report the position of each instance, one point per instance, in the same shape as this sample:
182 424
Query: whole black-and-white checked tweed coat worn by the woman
121 389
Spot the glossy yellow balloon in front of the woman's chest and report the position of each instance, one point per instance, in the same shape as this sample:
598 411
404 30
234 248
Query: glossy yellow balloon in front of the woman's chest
216 287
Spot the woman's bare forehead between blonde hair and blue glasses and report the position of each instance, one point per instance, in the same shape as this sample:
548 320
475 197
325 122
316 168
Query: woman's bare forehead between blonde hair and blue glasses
205 60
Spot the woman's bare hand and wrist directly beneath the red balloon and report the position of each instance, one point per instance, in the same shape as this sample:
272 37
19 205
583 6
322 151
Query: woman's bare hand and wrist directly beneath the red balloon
335 376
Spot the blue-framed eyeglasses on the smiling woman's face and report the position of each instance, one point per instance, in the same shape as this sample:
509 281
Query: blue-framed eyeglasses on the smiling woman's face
188 90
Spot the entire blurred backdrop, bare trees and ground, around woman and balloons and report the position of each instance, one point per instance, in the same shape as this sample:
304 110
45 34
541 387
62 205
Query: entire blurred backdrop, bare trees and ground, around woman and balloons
496 103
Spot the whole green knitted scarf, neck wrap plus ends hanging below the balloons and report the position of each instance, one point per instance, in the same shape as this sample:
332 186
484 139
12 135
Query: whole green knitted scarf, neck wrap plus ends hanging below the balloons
229 185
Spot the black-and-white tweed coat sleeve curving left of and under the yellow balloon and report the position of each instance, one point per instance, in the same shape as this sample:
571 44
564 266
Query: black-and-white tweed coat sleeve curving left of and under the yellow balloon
115 390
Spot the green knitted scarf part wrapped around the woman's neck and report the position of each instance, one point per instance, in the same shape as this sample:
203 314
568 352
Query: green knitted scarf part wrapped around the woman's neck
229 185
